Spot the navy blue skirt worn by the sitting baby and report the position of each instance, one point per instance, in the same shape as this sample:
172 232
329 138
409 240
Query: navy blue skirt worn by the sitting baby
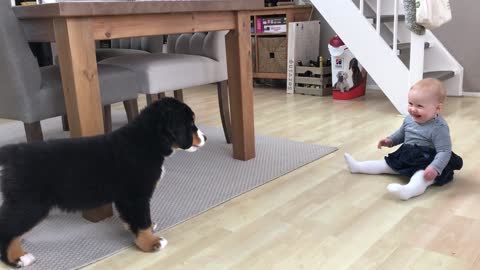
409 159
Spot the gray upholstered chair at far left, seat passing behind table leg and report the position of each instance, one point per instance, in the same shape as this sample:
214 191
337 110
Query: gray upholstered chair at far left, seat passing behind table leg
30 94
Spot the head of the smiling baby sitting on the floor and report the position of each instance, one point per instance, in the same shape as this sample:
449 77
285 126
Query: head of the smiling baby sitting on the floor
423 105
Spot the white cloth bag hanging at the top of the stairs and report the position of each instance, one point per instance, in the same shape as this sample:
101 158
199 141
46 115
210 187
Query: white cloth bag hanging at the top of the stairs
432 13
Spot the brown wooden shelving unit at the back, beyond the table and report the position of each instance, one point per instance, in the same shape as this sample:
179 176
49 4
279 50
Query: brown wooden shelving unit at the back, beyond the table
293 13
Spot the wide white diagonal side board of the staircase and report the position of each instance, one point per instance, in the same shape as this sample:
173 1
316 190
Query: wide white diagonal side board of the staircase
371 50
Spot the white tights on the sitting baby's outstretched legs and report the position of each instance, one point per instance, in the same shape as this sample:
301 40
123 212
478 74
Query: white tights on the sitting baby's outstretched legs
416 186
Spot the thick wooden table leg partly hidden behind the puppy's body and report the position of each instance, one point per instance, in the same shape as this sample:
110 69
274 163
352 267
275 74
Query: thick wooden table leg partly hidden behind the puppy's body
78 65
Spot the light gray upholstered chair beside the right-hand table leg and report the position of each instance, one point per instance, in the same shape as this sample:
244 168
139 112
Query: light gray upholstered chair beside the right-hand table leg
191 60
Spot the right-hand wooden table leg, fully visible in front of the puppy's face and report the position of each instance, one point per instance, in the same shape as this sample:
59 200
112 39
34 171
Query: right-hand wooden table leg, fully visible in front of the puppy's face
240 81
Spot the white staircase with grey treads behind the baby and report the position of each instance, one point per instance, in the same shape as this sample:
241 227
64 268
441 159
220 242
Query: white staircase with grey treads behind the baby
394 57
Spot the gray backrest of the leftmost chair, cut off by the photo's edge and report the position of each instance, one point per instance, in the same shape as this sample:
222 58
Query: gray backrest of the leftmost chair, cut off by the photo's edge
19 71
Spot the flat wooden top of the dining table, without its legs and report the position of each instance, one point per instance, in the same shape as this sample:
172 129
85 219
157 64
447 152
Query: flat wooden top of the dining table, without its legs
131 7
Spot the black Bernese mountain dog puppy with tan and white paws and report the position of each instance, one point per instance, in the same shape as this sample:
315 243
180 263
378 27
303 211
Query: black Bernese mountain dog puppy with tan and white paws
76 174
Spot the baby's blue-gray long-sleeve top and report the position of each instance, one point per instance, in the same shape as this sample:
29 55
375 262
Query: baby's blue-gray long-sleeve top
434 133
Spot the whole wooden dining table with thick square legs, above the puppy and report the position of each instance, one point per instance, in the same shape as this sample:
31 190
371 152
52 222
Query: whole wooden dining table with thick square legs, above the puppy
74 27
